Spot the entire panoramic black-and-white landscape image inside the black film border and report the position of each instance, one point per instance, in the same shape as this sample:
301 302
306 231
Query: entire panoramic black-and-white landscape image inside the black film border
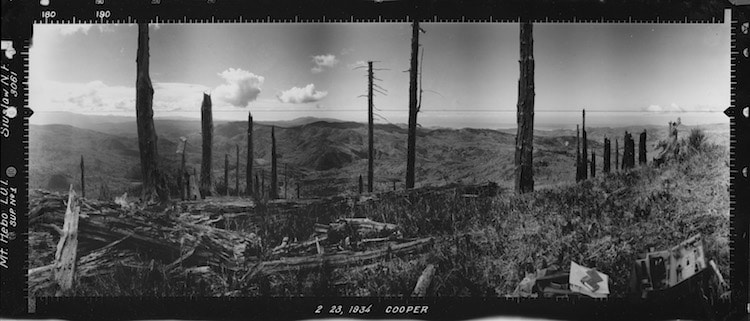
409 159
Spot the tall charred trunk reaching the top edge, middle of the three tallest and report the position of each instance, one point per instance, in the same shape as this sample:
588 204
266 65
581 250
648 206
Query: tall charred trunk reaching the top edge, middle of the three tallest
411 152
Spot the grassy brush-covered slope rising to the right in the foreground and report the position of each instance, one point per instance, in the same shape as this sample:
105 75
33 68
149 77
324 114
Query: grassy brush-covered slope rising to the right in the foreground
652 208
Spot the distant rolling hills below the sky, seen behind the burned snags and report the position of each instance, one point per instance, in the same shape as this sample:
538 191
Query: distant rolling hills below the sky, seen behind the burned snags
325 156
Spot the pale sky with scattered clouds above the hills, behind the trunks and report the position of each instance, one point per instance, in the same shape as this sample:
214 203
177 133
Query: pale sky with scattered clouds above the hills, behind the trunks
622 74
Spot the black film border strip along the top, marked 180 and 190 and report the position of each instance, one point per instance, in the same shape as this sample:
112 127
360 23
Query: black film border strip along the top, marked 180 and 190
288 11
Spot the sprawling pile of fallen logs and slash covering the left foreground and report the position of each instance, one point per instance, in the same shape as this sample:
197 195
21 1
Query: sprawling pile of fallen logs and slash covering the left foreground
190 237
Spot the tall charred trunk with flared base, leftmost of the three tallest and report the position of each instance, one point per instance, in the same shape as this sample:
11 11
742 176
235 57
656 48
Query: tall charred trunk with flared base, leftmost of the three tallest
153 185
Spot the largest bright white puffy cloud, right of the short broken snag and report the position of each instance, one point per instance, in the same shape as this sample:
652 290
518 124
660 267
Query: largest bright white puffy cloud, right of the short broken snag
240 87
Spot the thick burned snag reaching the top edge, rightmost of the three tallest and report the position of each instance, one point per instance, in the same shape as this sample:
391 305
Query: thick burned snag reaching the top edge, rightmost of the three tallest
525 112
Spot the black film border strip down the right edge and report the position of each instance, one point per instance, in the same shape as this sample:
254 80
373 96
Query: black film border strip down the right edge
739 113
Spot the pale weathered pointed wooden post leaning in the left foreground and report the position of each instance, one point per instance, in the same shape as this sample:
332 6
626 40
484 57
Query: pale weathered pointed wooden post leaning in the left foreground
67 247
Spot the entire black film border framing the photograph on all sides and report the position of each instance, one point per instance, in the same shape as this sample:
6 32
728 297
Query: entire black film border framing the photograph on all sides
18 19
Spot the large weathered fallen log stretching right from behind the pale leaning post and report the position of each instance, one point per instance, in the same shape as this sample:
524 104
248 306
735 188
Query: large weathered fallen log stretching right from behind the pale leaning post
159 235
